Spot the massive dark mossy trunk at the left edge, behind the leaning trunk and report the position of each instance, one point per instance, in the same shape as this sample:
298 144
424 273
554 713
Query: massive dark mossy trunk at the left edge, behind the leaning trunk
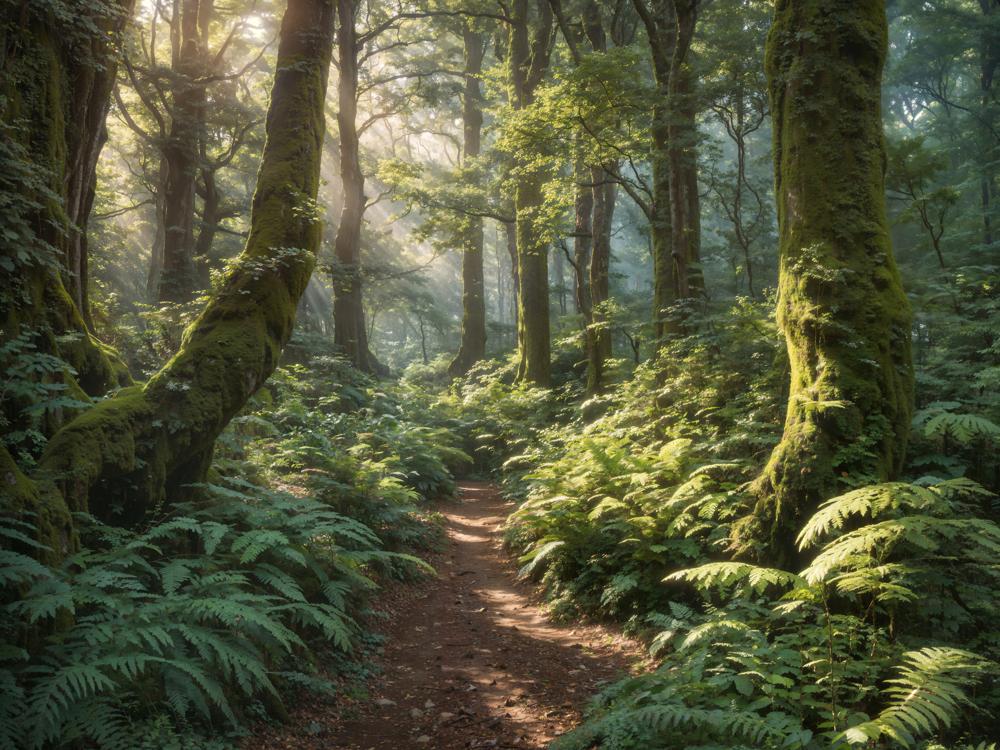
58 65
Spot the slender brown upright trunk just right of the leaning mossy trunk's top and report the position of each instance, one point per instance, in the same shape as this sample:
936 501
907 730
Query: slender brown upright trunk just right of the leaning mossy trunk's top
350 333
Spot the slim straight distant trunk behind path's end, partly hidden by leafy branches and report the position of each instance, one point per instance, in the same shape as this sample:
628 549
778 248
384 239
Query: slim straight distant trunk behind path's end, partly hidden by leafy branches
473 346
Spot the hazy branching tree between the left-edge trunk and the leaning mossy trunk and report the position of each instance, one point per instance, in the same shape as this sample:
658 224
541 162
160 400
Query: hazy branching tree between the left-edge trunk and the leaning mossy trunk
184 103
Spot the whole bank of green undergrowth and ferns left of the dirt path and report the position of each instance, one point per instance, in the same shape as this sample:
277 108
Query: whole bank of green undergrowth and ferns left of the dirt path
184 633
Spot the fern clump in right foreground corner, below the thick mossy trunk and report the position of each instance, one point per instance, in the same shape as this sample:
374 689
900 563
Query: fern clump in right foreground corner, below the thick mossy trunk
836 656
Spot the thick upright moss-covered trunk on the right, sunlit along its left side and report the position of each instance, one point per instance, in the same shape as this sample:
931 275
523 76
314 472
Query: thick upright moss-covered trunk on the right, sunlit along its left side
841 305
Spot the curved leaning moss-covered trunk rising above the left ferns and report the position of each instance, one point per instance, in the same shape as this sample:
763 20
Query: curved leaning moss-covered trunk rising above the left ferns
137 450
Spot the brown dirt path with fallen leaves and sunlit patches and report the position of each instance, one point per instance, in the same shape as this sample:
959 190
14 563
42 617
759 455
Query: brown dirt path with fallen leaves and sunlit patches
471 660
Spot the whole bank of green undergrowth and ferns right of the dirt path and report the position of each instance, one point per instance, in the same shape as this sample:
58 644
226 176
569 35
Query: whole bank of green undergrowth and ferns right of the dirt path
886 637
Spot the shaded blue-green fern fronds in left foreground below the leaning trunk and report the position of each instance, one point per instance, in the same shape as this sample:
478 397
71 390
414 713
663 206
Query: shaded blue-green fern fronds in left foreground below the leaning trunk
199 618
